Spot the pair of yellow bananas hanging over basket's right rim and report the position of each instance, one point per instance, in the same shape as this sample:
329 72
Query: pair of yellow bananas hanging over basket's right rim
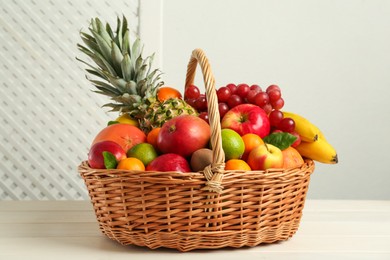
314 145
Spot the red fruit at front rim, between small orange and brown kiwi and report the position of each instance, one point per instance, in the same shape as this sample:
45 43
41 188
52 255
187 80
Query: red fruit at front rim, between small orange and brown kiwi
169 162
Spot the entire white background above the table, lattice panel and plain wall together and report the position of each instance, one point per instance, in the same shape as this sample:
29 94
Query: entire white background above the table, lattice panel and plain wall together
331 59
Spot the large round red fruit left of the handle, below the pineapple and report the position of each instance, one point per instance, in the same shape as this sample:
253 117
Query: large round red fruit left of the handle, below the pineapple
183 135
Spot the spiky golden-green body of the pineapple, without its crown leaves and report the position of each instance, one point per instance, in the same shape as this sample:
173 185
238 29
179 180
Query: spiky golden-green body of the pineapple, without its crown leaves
160 112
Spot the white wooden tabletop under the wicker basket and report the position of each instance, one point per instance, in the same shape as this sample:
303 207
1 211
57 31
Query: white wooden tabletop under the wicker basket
68 230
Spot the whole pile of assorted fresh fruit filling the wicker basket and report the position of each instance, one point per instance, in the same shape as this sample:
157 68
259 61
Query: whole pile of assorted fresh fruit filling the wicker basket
159 129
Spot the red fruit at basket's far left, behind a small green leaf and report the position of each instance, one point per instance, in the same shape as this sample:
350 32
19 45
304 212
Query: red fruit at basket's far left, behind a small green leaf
95 155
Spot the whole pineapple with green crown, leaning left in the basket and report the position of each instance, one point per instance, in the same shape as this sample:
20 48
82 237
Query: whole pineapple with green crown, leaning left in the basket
124 76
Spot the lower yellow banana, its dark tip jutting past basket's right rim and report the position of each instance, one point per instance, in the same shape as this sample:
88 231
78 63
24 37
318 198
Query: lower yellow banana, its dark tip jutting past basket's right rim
319 150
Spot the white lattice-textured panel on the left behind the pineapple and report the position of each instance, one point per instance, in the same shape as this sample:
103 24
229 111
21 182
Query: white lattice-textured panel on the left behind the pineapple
48 113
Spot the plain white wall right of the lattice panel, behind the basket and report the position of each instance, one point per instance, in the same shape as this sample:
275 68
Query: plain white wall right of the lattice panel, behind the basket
331 59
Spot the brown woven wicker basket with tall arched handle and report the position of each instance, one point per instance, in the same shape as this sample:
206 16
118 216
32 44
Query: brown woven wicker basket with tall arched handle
198 210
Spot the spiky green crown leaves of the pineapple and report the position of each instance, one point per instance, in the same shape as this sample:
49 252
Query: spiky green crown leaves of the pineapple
121 72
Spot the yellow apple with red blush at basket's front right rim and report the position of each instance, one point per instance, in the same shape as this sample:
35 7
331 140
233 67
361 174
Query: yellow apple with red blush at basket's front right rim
265 156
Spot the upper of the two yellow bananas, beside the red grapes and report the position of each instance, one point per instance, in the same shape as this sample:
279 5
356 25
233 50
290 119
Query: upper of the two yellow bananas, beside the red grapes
307 131
